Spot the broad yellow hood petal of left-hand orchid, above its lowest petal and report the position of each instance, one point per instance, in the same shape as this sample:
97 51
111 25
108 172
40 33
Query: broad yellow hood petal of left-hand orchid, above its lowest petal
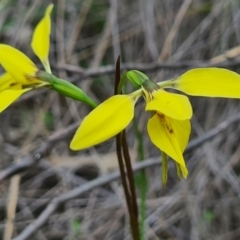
18 65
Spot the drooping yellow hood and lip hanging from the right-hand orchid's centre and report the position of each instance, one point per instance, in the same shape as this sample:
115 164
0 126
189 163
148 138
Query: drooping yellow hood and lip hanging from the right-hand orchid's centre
170 120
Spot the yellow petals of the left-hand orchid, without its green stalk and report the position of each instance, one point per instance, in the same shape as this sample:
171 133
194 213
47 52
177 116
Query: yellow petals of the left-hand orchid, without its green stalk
21 72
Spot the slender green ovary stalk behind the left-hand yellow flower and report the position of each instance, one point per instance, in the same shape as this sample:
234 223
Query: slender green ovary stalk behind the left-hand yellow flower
66 88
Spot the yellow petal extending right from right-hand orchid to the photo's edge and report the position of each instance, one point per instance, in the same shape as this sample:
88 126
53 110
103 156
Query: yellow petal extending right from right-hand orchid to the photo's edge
209 82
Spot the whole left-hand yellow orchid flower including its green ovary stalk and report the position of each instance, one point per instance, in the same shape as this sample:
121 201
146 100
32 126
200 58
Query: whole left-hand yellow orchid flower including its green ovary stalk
23 75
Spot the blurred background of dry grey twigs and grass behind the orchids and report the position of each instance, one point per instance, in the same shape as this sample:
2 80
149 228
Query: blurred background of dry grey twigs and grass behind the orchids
161 38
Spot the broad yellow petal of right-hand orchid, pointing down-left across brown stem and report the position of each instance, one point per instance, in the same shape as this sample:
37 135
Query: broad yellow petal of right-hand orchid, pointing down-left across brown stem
104 122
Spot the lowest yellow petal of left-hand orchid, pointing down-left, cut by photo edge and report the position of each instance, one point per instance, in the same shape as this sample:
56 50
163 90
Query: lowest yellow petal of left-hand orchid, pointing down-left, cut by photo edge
9 96
